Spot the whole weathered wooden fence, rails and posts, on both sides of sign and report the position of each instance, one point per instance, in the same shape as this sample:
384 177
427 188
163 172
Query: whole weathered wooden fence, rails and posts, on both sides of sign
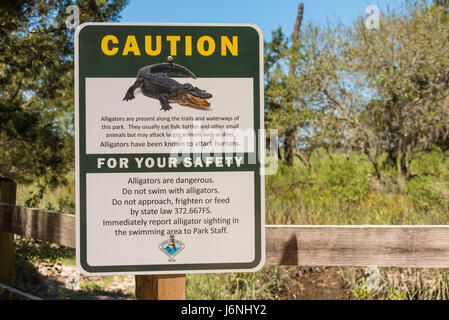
388 246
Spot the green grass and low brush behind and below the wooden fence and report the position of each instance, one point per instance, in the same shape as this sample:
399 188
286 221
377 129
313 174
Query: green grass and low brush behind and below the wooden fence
335 190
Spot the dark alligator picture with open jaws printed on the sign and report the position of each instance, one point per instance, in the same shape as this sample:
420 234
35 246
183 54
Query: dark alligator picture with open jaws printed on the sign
155 83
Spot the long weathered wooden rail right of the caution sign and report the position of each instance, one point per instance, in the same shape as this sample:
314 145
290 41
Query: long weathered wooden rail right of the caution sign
389 246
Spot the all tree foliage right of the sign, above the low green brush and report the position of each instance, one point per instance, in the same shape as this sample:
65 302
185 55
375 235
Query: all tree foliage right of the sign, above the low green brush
379 92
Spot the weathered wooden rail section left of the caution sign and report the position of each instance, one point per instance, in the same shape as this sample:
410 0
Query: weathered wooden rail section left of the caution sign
39 224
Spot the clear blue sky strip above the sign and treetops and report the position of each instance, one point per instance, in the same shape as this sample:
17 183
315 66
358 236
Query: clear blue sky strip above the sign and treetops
267 14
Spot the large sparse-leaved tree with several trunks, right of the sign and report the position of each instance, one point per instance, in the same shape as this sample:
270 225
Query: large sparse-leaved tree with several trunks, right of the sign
382 92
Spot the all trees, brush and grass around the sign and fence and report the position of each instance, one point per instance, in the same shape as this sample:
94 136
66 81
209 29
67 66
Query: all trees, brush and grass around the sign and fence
361 101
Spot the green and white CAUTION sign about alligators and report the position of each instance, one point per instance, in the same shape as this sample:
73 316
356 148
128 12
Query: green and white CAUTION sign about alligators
168 148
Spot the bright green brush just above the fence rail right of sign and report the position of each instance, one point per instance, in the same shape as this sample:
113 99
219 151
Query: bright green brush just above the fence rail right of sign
344 190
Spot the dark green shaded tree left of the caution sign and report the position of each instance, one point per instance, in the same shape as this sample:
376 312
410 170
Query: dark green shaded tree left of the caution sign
36 84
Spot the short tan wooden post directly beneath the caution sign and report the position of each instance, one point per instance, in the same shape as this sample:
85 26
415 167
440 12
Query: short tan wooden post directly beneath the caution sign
161 287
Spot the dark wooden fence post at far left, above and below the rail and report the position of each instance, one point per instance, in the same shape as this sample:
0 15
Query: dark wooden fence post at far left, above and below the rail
7 195
